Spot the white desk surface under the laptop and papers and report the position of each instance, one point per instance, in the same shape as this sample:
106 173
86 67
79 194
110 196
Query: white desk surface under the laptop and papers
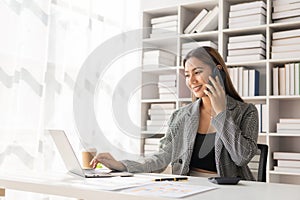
62 185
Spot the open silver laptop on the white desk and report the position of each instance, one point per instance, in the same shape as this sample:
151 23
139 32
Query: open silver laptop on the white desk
71 162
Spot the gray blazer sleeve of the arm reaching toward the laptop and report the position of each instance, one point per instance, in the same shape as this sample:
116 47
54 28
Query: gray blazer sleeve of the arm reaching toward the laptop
160 160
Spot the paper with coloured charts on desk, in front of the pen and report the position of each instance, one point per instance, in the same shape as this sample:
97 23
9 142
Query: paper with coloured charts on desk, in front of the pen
167 189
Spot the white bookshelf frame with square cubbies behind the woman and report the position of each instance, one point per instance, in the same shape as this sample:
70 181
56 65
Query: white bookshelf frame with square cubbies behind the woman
277 106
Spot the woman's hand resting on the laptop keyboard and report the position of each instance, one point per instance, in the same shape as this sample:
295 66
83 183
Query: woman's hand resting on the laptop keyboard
108 161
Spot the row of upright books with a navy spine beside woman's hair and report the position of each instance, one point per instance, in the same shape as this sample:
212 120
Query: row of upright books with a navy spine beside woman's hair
245 81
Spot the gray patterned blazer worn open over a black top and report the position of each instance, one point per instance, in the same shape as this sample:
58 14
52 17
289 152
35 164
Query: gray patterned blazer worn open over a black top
235 141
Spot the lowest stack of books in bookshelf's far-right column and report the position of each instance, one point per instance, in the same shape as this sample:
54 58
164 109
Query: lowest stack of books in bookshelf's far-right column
288 162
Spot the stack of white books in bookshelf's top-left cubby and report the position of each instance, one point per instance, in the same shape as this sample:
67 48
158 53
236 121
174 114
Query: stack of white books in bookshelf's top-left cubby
164 26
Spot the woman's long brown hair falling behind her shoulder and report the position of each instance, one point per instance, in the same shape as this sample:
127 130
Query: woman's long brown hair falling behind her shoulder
212 58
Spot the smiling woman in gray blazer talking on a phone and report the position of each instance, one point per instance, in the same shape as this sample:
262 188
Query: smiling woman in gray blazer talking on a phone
216 135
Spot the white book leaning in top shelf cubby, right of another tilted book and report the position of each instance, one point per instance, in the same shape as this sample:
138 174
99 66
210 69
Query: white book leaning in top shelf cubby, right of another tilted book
209 22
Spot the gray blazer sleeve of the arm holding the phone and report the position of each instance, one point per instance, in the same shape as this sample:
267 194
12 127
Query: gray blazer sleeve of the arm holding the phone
238 131
